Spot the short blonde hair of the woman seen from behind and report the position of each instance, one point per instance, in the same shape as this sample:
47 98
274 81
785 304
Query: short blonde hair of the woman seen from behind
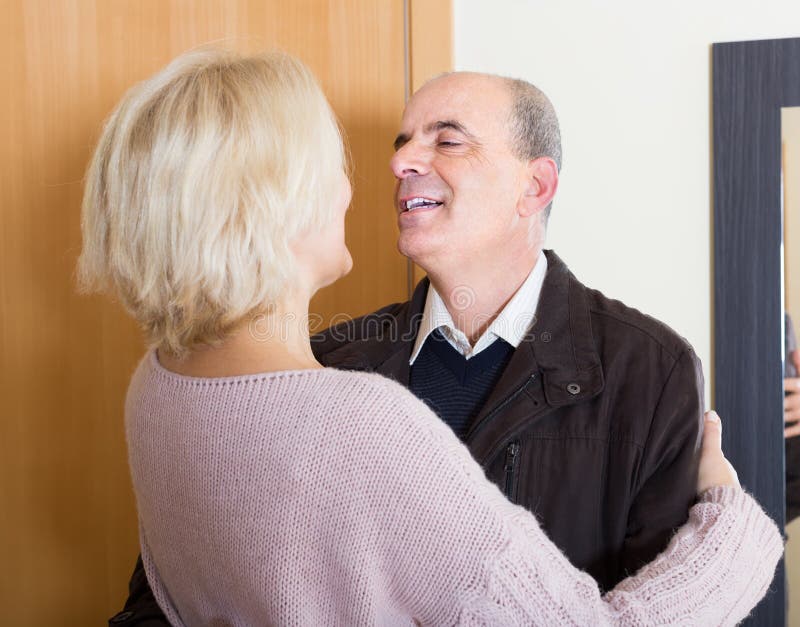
202 176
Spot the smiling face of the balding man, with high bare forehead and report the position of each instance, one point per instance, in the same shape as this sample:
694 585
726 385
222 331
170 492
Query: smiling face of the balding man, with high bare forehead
458 183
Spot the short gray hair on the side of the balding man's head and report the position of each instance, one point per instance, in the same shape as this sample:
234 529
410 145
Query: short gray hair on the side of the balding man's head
533 125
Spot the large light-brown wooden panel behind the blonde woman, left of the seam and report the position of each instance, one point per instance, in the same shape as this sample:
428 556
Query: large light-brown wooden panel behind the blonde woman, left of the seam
67 518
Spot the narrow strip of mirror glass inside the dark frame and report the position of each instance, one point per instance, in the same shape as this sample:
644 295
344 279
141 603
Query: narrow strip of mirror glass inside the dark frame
790 182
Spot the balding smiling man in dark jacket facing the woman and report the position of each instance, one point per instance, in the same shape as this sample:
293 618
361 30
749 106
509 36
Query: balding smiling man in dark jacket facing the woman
587 413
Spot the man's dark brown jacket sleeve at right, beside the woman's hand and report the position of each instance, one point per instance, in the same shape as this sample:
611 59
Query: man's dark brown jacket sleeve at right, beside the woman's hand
666 482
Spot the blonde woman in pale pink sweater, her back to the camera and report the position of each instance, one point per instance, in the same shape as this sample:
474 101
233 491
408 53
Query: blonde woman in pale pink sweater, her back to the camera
271 490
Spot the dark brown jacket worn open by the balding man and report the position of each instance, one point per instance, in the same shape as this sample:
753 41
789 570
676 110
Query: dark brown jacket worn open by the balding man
594 425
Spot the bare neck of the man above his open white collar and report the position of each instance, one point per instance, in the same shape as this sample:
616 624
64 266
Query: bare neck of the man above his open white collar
476 296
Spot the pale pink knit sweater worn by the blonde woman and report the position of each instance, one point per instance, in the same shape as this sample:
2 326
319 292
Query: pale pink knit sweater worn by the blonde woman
323 497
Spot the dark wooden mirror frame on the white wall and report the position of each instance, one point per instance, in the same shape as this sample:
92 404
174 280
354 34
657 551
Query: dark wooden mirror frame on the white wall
752 81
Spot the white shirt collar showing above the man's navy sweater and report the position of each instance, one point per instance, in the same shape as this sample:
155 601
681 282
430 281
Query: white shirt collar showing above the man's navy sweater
511 324
